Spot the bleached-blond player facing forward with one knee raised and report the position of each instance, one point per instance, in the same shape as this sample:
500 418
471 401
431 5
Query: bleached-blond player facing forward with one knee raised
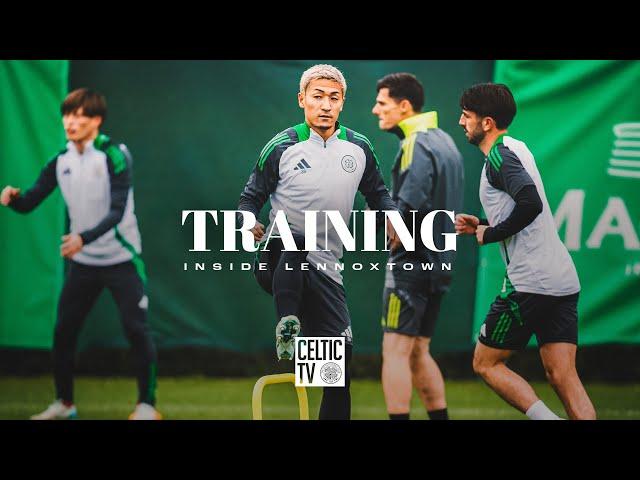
316 165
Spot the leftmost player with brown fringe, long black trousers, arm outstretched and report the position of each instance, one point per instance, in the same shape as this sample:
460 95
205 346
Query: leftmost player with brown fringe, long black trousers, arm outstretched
103 246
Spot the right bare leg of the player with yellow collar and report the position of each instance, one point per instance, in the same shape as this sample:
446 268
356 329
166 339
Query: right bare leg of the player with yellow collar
427 377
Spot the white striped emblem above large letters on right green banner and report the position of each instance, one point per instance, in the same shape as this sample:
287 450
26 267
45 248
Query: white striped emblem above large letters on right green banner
625 155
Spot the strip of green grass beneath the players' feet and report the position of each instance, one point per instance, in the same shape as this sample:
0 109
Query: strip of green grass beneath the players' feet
230 399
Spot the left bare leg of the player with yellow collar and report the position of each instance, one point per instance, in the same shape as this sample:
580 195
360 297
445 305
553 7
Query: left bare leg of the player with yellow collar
396 373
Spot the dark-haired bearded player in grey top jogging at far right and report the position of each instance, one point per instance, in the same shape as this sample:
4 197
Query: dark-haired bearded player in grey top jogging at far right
540 289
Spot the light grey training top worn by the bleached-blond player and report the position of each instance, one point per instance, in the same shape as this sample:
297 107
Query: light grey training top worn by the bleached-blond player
299 171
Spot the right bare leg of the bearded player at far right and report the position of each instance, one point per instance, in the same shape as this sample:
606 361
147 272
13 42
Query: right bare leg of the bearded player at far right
559 360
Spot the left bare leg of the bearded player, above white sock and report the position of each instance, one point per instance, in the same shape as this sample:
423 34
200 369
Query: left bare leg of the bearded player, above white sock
489 363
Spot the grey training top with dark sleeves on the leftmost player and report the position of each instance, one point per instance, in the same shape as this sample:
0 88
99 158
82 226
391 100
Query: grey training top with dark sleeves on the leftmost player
96 187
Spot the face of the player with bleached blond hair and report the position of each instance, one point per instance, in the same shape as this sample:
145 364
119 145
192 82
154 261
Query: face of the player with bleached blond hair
322 103
